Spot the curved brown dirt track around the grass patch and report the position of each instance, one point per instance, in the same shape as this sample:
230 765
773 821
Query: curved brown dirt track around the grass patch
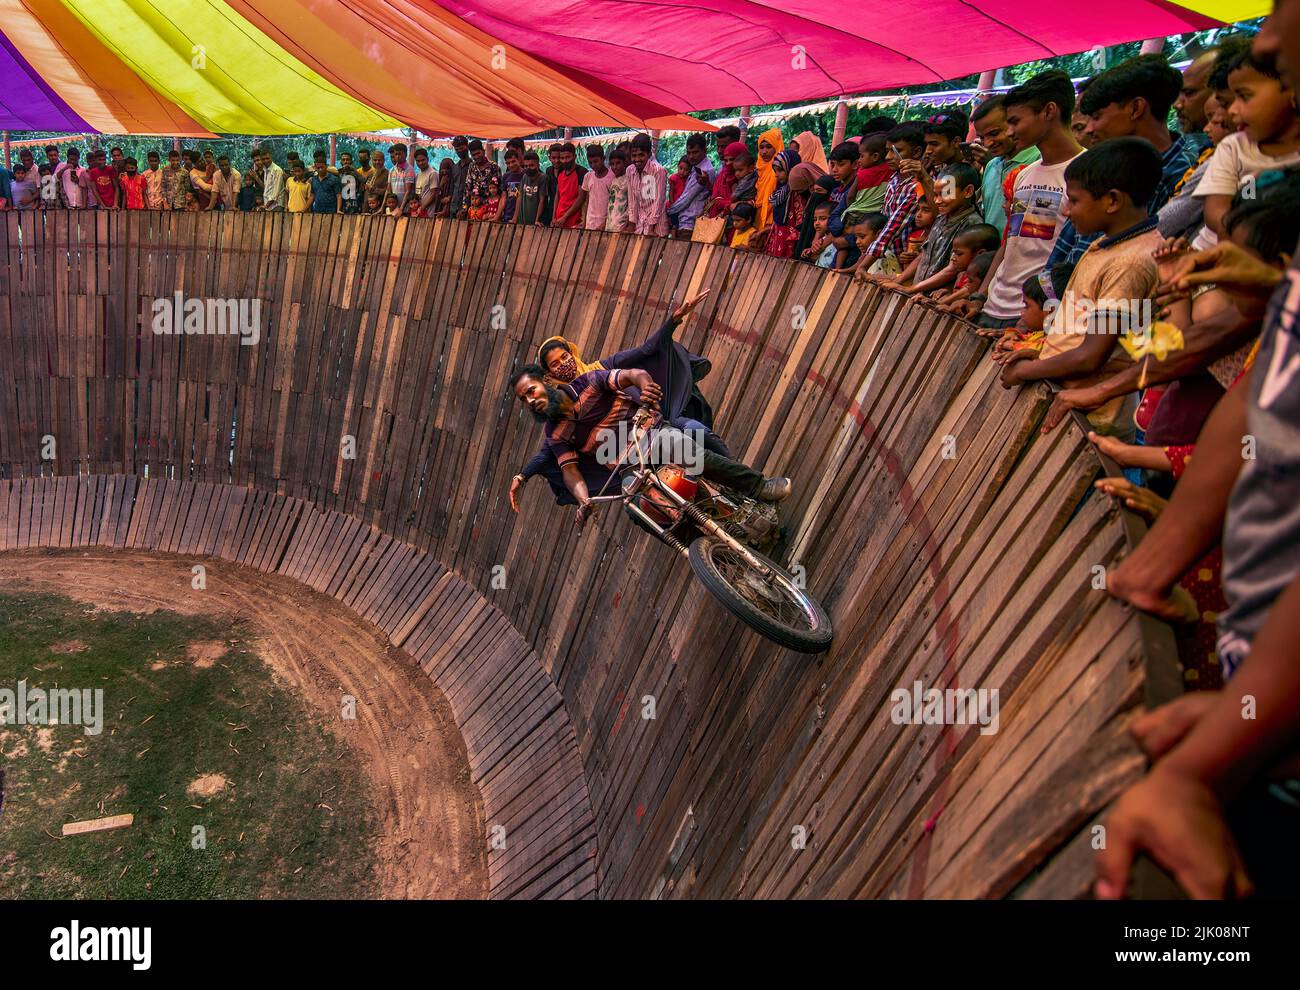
432 837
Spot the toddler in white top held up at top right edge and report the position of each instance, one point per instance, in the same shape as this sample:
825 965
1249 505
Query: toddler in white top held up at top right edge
1264 107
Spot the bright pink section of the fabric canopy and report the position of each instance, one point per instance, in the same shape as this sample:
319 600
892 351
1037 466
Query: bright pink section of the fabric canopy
691 55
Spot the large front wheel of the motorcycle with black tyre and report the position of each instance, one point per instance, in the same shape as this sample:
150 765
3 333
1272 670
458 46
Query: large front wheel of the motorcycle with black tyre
777 607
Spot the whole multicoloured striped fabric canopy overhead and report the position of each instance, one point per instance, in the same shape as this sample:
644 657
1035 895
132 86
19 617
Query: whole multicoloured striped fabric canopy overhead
499 68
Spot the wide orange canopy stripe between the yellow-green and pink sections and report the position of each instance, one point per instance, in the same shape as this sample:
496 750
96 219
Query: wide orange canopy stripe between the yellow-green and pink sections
437 72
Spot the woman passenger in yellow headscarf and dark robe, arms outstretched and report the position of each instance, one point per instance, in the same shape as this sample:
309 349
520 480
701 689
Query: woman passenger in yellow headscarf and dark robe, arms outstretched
670 364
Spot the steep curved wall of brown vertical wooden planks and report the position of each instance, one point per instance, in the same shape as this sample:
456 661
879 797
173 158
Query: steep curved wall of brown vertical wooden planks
951 542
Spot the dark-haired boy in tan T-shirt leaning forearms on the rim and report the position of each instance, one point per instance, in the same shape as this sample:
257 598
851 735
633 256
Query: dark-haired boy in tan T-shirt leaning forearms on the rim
1108 190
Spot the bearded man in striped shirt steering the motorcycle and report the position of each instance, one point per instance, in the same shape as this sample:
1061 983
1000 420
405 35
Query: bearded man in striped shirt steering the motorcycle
579 415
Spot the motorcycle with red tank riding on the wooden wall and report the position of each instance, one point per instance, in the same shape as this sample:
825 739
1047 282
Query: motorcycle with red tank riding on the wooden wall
725 536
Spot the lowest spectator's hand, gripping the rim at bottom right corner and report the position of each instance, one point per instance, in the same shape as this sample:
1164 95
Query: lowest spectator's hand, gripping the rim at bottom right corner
1180 823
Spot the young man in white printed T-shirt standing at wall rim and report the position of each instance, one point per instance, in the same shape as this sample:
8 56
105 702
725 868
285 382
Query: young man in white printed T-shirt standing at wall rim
1038 114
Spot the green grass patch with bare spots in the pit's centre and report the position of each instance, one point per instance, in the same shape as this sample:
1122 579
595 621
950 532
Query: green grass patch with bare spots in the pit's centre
185 698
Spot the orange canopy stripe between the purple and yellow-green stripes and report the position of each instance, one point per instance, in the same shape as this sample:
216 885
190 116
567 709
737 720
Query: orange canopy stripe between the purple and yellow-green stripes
88 76
